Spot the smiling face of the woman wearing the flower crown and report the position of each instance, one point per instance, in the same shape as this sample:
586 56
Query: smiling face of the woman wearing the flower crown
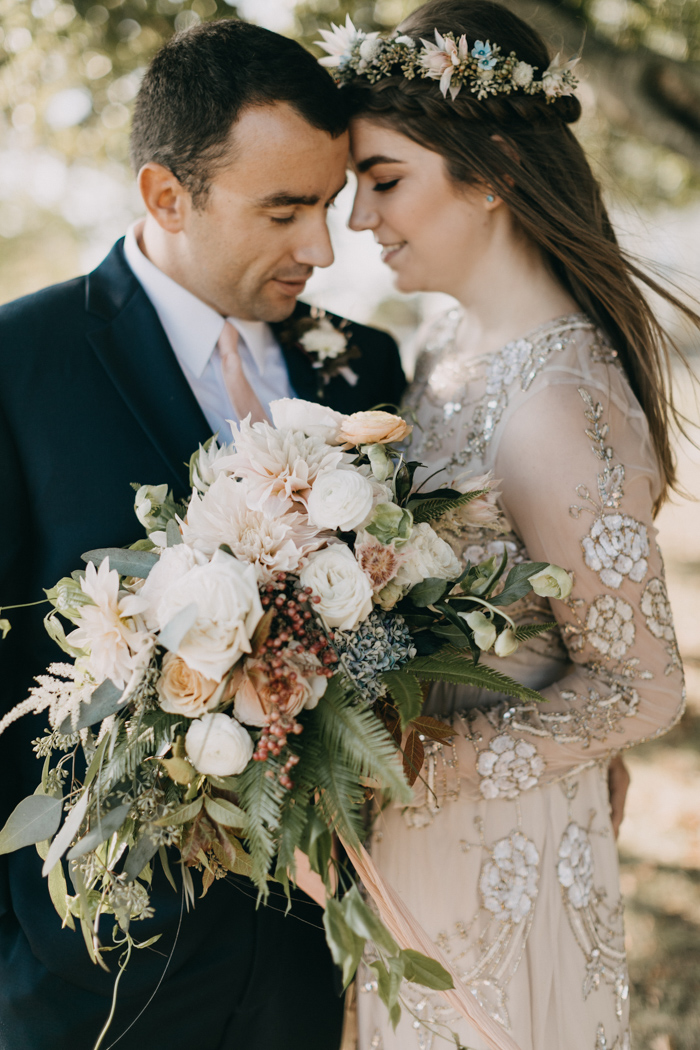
434 234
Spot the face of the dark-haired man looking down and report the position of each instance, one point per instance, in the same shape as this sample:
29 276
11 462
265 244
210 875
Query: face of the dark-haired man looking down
251 247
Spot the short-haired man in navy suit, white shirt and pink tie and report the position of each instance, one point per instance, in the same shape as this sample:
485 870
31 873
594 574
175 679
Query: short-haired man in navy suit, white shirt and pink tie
241 143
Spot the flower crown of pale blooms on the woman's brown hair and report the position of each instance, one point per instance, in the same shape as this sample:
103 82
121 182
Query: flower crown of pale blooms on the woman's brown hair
482 70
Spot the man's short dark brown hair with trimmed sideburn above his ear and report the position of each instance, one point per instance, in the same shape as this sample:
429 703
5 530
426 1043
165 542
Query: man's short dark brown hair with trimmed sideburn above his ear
201 82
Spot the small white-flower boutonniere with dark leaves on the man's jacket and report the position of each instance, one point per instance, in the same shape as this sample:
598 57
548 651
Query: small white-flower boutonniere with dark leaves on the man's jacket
328 347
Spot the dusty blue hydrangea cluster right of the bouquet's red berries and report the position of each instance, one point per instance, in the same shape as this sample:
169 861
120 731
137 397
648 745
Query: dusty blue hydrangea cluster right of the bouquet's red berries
383 643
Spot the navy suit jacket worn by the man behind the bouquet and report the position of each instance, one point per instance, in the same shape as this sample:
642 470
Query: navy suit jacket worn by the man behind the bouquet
92 400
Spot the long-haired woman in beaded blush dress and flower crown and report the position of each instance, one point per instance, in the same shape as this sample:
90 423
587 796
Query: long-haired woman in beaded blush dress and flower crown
550 374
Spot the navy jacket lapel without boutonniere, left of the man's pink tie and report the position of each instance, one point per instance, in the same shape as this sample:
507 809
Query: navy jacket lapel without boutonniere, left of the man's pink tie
136 354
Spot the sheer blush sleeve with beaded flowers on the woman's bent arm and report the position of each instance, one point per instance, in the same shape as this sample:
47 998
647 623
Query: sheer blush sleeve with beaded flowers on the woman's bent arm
579 488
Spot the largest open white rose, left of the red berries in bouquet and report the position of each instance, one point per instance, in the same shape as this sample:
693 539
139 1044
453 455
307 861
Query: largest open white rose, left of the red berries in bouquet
228 608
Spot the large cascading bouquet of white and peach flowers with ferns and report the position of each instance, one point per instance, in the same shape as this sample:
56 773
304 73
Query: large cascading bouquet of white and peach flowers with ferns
243 679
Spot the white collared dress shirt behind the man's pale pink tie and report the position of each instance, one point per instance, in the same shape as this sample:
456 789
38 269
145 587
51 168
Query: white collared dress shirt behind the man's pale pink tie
194 330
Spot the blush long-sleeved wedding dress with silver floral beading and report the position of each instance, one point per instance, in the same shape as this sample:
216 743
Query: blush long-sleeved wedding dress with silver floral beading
508 860
